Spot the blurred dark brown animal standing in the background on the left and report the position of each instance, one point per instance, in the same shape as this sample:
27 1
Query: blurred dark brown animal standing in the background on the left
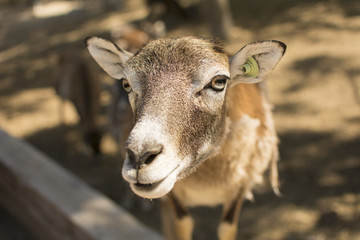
74 81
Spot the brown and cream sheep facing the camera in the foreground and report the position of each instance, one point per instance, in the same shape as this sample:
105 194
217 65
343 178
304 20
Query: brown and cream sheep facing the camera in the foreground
203 132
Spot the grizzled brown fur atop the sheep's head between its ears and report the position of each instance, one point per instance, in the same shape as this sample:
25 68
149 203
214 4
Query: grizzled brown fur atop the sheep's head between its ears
183 55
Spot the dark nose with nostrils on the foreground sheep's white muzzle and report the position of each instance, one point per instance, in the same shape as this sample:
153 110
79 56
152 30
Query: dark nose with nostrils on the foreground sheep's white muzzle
146 156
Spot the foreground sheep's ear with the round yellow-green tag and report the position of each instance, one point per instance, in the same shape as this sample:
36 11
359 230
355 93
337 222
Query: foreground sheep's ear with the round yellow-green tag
254 62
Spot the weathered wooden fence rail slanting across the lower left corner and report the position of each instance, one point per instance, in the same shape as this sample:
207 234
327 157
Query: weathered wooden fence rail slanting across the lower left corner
56 205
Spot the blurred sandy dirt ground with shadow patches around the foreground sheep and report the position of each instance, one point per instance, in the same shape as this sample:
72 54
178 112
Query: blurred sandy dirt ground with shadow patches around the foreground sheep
315 91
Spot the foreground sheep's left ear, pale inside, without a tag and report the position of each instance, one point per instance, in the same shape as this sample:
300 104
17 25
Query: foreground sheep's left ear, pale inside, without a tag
108 55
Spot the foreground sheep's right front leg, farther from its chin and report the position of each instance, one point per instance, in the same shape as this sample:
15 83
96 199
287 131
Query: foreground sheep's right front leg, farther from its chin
229 221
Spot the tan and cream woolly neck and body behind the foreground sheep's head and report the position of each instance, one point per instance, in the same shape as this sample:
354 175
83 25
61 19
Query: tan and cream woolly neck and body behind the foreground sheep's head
236 152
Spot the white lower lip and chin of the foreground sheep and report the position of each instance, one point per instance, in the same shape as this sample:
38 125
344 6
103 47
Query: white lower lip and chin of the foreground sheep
157 189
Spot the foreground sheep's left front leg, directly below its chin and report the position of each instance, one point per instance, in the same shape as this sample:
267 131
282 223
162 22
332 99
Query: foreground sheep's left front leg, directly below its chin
176 220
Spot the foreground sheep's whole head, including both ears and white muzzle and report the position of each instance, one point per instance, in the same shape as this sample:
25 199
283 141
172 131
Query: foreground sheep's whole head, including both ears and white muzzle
177 89
